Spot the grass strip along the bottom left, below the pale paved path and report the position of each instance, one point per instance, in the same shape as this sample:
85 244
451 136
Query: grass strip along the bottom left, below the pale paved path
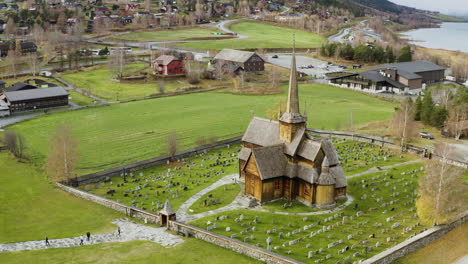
135 252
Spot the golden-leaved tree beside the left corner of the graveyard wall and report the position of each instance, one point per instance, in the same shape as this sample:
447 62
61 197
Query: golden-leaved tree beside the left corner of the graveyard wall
63 155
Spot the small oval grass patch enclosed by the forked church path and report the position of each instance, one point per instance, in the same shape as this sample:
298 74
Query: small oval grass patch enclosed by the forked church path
217 198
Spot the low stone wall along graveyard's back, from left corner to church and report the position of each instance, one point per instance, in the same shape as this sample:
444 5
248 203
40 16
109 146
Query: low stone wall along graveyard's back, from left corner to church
101 175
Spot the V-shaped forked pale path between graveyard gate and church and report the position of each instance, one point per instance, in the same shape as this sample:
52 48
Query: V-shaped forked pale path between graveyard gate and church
184 217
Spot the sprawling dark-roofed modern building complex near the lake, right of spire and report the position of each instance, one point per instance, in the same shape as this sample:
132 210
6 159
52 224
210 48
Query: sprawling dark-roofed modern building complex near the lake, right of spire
393 77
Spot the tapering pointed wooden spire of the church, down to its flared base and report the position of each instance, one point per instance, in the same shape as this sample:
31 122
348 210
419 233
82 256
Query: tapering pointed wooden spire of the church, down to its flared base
292 114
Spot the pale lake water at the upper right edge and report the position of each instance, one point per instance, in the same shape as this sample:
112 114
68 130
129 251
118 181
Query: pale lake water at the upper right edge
450 36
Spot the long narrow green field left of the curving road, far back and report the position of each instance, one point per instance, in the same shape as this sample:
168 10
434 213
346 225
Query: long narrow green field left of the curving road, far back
166 35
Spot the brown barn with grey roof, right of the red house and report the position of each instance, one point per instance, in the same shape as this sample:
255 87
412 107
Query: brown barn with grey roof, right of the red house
248 61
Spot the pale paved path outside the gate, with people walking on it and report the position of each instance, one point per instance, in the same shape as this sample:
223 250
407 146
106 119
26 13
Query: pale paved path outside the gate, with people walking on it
129 231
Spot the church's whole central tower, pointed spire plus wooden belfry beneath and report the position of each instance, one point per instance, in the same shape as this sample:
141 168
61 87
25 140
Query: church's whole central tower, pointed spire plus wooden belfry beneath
292 120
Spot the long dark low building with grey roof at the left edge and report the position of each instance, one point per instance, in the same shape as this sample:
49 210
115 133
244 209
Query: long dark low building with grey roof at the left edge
39 98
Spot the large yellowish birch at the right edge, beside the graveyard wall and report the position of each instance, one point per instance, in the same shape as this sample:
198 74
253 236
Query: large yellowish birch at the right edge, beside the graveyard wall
441 190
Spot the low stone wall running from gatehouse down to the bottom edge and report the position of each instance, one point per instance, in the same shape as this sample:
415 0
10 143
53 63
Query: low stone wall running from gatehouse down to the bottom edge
232 244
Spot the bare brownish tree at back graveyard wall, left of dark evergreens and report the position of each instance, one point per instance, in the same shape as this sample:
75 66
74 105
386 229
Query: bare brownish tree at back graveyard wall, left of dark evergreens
403 125
